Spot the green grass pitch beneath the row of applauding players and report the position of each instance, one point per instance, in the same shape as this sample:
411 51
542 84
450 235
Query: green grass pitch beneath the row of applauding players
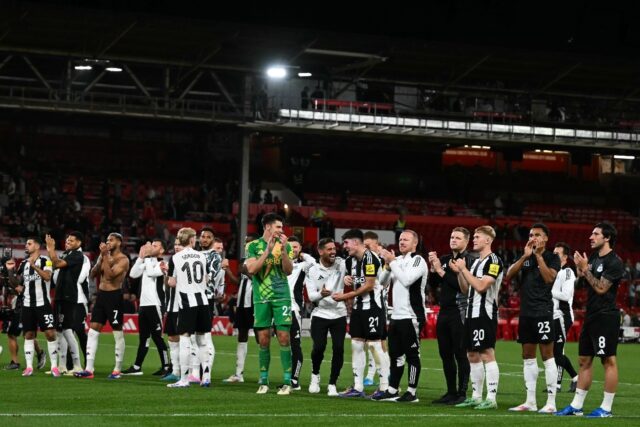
44 401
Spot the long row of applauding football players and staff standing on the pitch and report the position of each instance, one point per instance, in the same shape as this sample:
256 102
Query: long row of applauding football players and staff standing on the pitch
380 294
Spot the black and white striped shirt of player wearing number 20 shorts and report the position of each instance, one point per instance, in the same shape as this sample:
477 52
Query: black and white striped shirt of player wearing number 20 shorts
485 304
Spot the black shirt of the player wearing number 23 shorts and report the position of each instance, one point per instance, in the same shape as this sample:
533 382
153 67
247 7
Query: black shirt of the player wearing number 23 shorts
535 295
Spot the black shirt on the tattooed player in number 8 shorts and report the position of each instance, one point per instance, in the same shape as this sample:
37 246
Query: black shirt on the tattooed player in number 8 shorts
611 268
